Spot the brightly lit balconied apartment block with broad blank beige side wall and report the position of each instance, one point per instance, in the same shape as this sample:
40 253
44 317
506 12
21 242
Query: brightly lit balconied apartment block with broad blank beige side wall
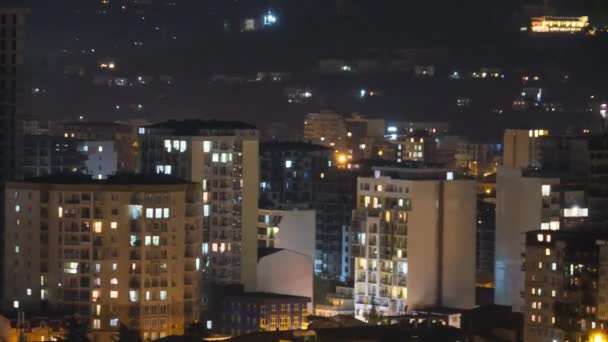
413 241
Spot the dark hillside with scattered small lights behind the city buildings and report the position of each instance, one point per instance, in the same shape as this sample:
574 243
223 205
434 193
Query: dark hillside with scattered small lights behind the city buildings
190 41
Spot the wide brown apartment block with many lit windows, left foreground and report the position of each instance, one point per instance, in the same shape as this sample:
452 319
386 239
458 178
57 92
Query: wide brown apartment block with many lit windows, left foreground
122 250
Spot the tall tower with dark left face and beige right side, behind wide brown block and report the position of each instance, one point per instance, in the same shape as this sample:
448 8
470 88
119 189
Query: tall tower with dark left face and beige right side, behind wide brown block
223 156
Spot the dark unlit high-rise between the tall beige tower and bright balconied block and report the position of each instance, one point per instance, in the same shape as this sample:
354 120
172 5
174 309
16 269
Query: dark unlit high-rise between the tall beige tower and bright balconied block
304 176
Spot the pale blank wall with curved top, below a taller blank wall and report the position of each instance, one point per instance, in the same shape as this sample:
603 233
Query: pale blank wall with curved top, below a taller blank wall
286 272
